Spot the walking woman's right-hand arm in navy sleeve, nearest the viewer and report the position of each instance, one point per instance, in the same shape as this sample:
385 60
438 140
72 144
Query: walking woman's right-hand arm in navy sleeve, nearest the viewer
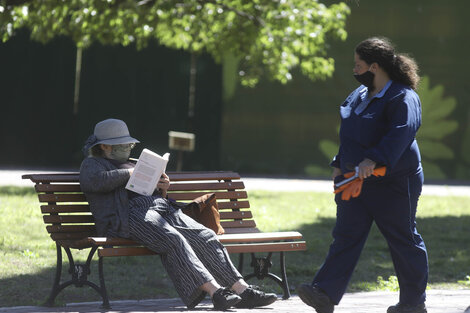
404 113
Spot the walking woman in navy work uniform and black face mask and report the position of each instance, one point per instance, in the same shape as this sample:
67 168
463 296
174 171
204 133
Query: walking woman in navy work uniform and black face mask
379 121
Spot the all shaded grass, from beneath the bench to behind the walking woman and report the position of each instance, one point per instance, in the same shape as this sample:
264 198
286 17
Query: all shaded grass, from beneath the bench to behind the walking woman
144 277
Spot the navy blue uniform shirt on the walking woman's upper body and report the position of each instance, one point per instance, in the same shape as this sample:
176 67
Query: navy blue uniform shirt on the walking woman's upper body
382 129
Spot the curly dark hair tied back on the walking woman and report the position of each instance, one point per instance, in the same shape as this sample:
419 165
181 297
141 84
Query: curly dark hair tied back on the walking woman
400 67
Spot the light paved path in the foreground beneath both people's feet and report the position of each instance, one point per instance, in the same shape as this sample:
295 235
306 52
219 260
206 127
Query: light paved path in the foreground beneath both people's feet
439 301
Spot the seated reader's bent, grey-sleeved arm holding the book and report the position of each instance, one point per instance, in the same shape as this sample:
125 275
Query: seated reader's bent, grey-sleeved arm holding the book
95 178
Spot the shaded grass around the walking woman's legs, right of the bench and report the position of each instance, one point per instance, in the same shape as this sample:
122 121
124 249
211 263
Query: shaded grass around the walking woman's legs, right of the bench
446 239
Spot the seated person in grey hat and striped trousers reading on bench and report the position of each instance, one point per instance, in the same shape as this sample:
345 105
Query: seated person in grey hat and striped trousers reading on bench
192 255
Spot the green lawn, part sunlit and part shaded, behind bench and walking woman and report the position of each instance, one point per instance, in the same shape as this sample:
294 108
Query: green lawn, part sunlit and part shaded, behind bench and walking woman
28 255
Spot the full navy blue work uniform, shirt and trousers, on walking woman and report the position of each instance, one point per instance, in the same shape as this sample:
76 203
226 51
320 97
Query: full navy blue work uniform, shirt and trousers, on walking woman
383 129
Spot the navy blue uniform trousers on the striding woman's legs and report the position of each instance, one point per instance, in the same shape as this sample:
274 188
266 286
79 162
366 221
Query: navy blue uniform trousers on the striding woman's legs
391 203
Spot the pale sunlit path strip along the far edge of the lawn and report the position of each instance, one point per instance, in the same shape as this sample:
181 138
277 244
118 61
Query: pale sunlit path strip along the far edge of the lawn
13 177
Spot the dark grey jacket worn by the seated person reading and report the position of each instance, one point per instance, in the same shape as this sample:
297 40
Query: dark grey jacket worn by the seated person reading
104 188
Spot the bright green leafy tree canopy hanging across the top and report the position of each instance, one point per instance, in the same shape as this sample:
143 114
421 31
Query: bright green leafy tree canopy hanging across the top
270 37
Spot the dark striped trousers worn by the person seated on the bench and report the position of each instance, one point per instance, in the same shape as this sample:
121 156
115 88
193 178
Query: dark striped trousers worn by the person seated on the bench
191 253
